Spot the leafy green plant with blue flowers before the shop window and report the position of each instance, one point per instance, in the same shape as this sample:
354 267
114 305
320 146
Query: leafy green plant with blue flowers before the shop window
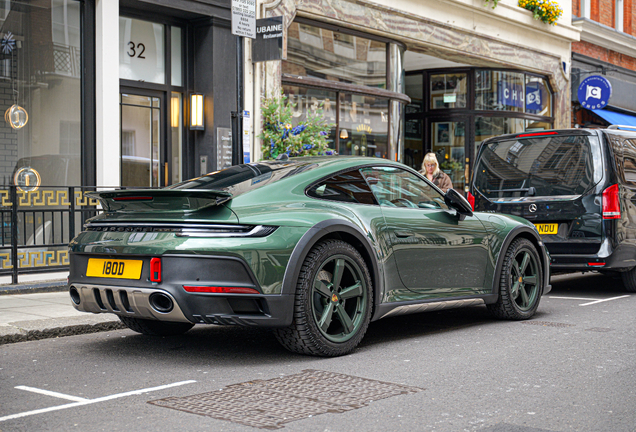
307 138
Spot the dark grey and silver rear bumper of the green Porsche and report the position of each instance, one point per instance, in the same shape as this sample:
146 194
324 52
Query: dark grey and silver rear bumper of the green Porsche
167 300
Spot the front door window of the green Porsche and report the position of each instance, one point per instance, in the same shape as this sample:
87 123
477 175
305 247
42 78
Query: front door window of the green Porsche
396 187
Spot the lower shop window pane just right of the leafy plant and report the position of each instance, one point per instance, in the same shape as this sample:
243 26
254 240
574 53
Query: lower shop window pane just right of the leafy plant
364 125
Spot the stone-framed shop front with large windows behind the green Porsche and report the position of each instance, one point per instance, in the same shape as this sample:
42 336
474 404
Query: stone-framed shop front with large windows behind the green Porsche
398 81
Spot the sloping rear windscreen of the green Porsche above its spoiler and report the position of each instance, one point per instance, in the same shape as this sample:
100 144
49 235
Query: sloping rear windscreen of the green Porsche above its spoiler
240 179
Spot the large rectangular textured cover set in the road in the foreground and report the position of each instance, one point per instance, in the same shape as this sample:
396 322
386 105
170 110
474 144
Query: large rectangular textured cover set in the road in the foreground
268 404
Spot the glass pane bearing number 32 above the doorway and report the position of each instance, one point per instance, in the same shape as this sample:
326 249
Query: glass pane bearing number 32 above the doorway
141 51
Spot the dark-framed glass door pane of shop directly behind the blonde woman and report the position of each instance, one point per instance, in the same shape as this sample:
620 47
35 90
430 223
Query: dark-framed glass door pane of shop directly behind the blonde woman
448 142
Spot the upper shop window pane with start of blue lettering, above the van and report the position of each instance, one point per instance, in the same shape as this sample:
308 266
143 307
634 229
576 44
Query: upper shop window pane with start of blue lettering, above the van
499 90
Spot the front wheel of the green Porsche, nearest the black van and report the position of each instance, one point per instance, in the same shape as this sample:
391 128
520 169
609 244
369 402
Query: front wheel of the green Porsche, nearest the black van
520 285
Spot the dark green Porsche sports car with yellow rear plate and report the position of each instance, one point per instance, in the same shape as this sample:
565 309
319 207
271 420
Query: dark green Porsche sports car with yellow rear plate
315 248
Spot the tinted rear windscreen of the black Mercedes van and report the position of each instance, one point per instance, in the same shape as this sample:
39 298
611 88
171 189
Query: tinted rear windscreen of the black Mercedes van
545 166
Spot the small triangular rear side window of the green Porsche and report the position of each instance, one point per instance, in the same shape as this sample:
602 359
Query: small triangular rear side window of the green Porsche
344 187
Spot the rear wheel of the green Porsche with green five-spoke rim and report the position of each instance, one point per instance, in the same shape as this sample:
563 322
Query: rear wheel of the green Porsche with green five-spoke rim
333 302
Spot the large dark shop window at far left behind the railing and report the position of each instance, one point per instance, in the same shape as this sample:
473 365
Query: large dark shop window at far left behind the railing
40 77
